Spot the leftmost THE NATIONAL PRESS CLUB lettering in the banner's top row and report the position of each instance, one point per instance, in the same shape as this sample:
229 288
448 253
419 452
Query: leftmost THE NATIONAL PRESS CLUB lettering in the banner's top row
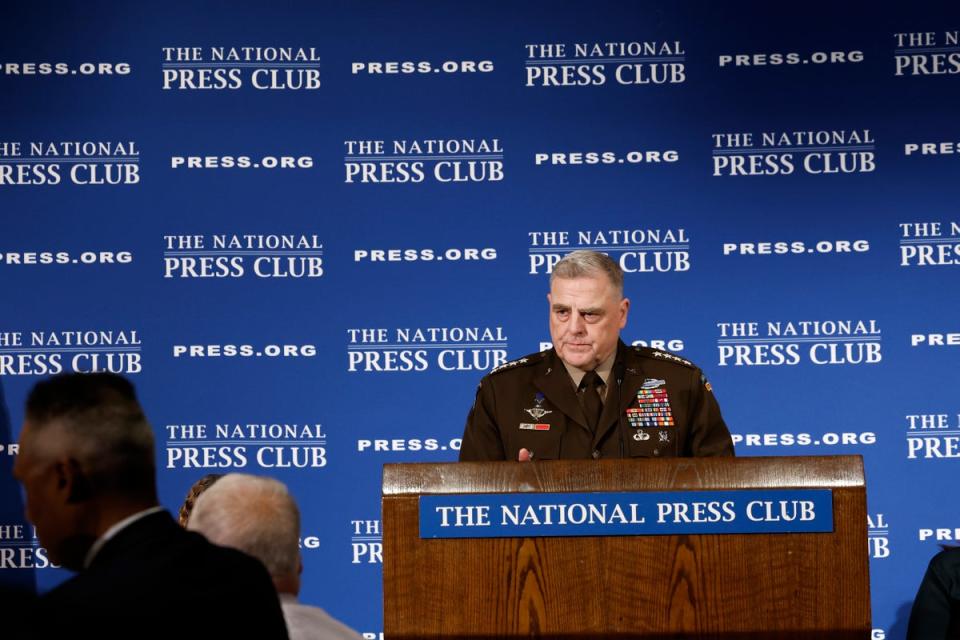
233 68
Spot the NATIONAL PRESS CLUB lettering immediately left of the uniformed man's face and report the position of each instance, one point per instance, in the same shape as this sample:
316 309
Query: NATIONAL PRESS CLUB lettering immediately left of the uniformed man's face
405 350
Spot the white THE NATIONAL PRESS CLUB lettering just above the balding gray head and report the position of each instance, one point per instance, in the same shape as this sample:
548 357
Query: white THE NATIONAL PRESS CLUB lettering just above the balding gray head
237 445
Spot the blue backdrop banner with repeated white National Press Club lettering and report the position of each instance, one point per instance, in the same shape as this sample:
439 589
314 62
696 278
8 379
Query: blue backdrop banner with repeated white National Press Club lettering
307 230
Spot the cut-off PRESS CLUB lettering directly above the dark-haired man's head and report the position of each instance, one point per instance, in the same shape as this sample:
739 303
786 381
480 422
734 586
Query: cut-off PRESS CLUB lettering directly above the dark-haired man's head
73 351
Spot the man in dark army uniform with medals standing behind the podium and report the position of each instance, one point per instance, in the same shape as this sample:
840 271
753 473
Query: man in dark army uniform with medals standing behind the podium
592 396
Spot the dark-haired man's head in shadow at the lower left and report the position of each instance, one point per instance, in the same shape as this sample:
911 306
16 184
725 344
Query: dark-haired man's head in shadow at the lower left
86 460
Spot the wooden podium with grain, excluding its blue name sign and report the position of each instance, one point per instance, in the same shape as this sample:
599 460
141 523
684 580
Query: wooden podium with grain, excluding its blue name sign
739 585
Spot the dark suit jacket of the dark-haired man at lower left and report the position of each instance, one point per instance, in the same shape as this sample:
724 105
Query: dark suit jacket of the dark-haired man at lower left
152 569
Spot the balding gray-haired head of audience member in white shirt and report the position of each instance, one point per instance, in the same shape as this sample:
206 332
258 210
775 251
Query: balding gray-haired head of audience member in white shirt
254 514
